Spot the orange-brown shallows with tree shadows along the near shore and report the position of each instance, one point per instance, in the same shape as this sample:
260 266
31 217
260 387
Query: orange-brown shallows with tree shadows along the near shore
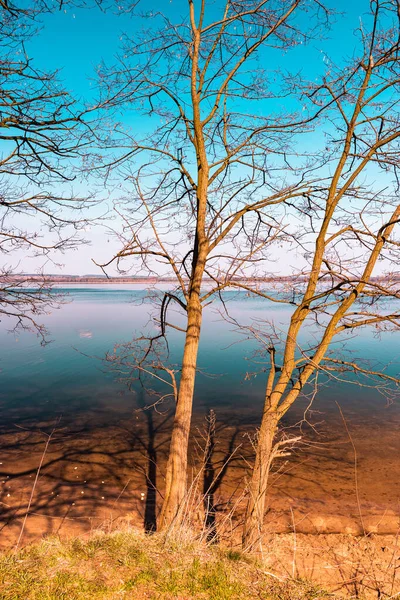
94 473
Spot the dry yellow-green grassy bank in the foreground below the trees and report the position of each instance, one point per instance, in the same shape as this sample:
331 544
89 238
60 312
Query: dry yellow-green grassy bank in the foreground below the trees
130 565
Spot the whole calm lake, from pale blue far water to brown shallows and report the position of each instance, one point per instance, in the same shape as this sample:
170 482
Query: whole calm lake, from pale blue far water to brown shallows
98 457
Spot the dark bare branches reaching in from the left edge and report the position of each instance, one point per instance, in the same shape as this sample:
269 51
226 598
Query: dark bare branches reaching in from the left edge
42 137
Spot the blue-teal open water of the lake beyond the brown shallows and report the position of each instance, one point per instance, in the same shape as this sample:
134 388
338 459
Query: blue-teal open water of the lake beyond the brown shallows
69 376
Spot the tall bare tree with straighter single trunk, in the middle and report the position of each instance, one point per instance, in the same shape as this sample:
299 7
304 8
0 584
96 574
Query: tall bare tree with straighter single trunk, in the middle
203 188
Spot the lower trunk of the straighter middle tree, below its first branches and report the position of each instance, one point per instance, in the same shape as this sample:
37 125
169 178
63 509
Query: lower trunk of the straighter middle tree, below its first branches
176 474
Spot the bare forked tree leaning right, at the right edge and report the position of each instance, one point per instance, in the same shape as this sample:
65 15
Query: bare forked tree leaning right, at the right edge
349 229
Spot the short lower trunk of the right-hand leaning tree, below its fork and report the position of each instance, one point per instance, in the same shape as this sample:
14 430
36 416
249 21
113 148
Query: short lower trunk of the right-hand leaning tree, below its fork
255 510
